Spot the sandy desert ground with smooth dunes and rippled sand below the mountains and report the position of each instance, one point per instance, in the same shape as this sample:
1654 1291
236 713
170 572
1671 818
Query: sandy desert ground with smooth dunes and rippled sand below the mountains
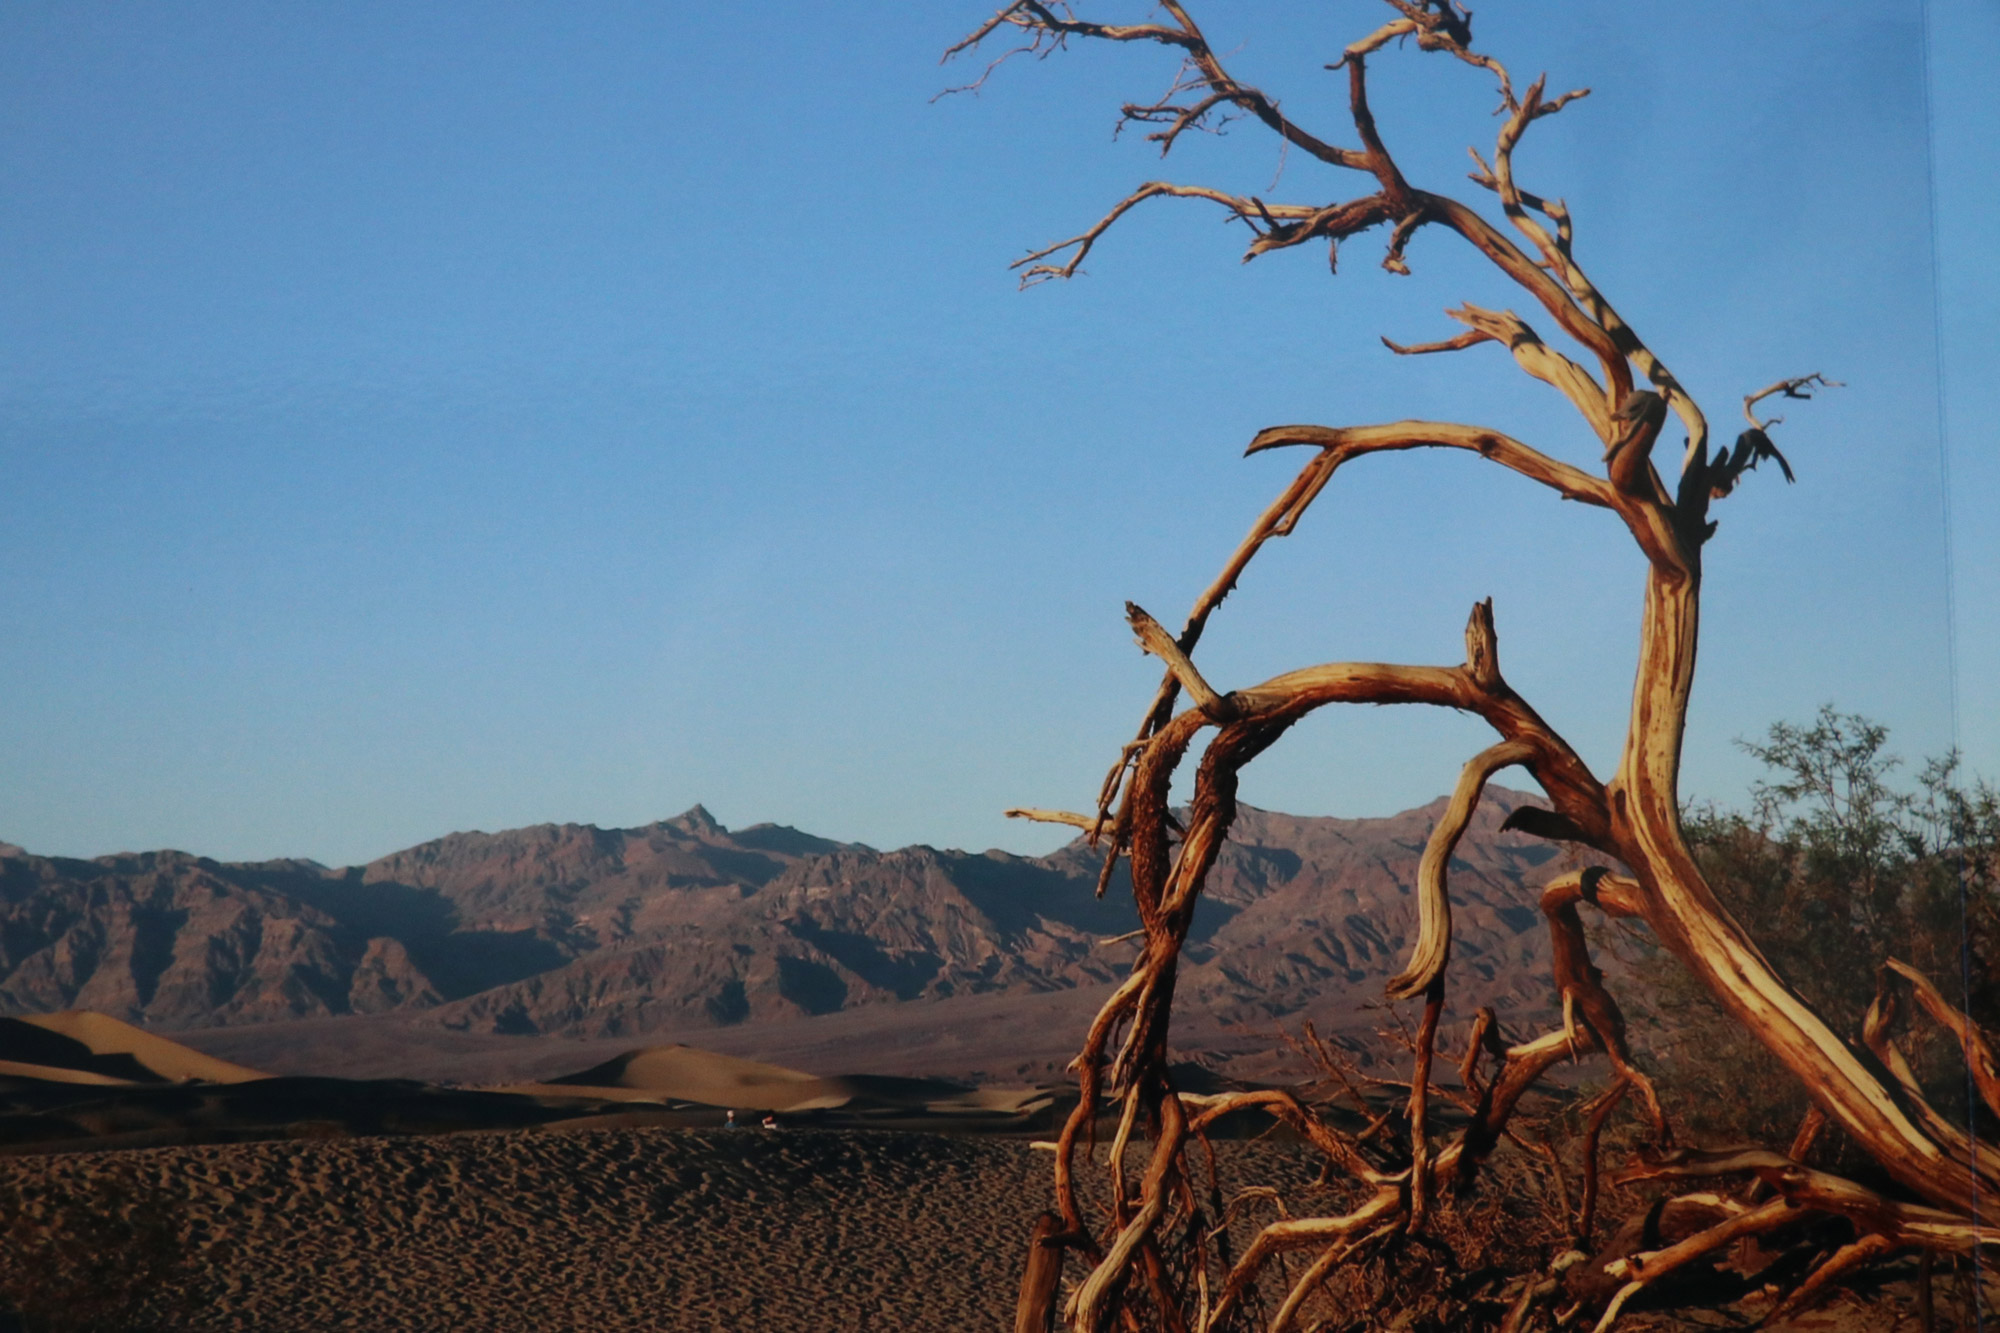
607 1202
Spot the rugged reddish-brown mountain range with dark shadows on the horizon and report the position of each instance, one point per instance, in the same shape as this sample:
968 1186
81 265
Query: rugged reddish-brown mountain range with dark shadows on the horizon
689 926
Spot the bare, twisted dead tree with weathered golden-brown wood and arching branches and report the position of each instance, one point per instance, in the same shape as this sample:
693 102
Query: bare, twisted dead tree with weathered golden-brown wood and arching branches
1153 1260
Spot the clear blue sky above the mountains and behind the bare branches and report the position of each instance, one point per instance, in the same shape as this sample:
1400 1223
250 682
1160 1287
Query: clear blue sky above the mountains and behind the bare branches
427 417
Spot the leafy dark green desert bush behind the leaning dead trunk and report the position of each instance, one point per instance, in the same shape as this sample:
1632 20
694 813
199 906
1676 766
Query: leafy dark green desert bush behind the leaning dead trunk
1839 864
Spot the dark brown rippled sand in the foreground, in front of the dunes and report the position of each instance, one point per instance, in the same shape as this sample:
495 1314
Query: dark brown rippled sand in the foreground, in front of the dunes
537 1232
